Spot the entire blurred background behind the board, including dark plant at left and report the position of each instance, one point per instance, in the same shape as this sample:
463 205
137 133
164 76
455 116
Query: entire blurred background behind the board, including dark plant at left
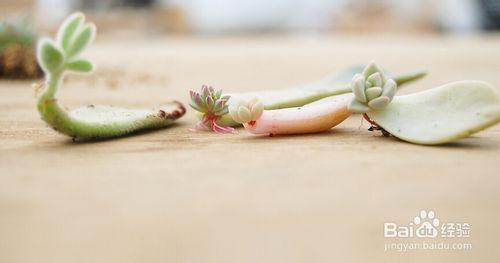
22 21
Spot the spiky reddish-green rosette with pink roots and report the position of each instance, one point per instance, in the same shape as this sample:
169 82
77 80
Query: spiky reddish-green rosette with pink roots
213 106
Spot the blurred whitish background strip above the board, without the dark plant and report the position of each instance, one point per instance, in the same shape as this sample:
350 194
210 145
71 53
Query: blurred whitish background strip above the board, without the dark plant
263 16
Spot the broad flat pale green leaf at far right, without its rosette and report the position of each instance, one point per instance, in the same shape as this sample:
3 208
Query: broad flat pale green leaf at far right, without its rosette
443 114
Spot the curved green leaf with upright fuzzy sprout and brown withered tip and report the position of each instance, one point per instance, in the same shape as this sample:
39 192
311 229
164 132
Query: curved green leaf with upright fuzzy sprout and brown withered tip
92 122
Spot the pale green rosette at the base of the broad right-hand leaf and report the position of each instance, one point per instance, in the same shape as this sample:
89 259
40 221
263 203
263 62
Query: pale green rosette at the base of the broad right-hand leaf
372 90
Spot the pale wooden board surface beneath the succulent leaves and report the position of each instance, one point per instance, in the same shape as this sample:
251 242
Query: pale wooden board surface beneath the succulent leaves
177 196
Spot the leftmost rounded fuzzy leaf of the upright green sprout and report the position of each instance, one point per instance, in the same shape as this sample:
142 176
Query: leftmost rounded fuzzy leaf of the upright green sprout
50 57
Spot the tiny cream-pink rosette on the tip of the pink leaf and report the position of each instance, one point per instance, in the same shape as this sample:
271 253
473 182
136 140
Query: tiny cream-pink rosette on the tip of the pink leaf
246 111
